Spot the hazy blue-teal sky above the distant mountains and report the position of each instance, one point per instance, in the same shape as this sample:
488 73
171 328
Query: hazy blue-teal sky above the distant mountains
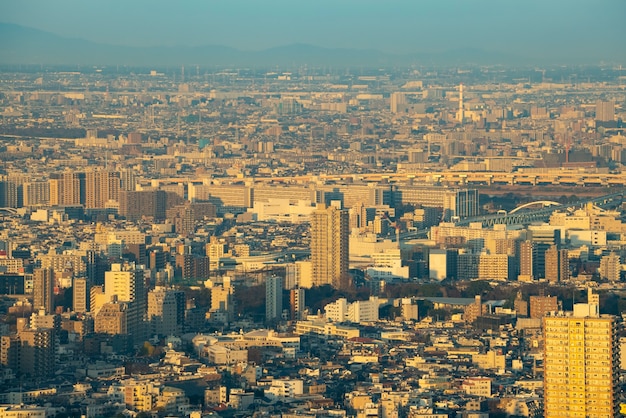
539 28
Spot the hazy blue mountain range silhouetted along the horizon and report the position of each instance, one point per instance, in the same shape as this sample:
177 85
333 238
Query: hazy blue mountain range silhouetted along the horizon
23 45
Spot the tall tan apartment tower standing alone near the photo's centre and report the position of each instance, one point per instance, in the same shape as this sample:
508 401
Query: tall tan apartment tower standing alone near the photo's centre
329 246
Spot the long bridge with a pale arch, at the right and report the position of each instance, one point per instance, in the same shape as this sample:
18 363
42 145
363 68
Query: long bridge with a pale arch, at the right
524 215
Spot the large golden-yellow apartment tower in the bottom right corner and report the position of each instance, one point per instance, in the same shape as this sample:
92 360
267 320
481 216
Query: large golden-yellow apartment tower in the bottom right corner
581 364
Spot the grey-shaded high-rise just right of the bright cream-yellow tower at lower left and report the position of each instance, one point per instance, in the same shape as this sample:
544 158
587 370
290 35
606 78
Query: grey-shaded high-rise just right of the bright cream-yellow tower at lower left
166 311
